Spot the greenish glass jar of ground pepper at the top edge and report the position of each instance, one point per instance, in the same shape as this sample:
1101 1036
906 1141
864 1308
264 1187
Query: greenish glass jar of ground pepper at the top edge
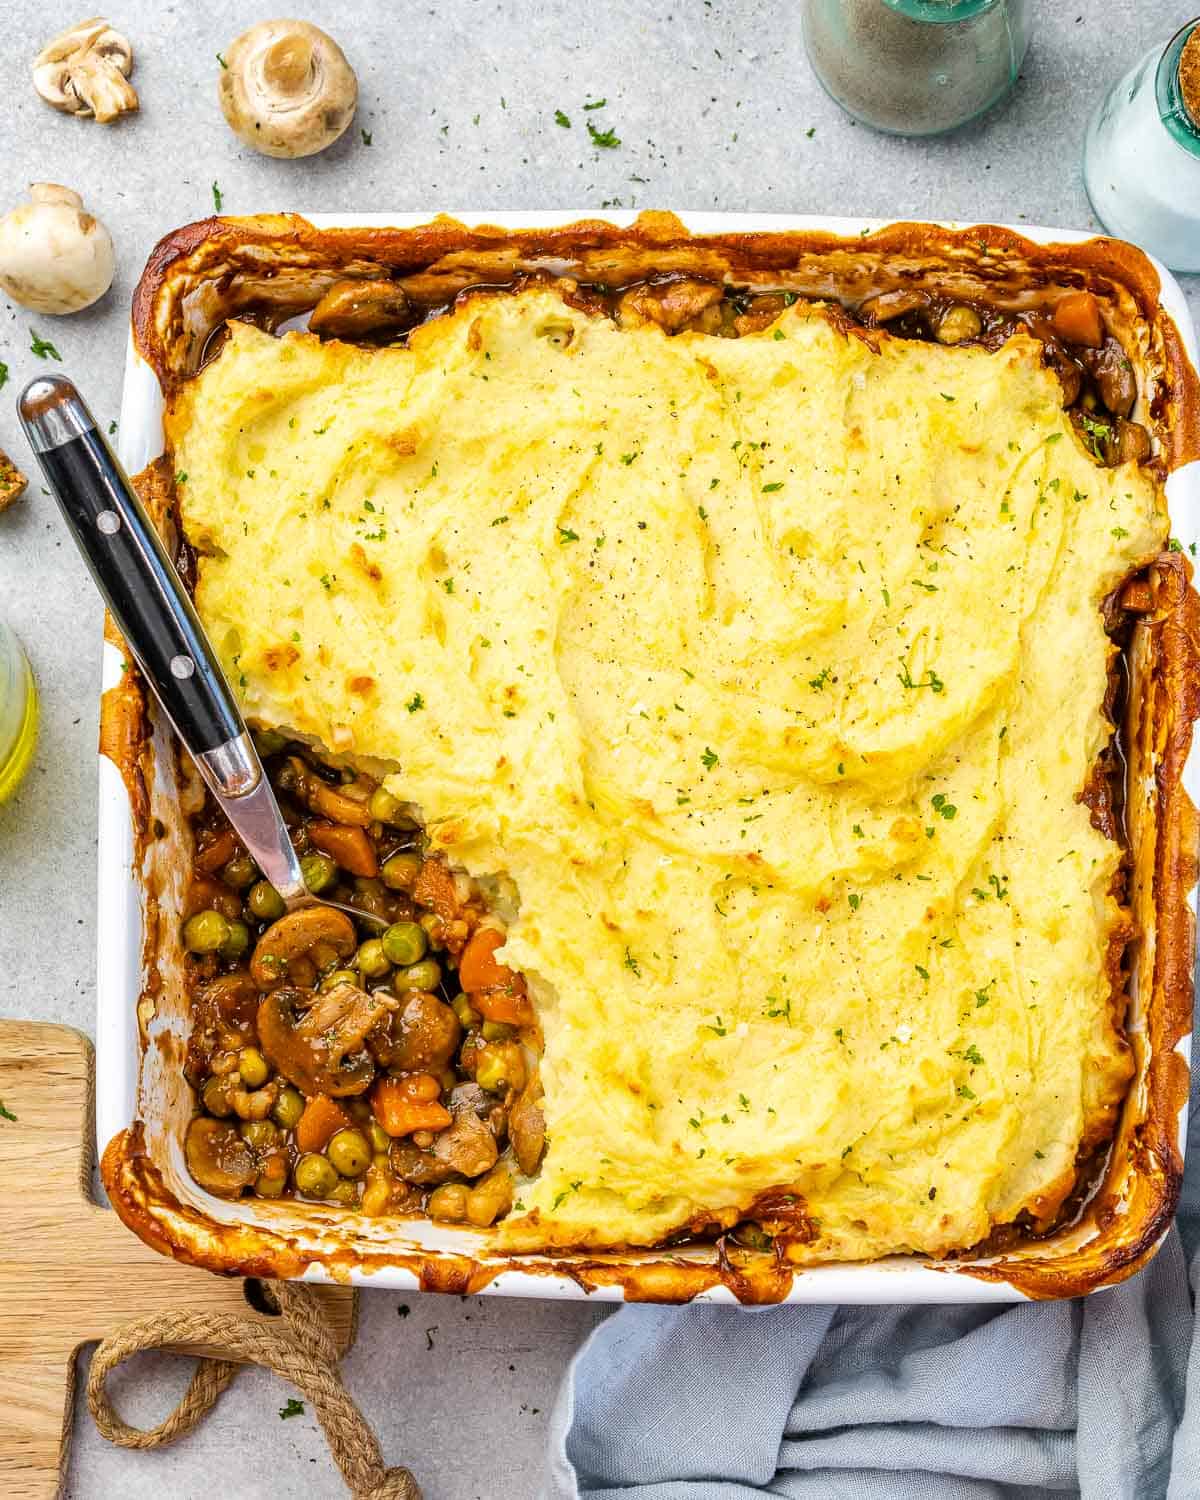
916 67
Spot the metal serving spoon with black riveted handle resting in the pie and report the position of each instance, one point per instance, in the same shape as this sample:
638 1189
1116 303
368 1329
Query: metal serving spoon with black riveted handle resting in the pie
146 598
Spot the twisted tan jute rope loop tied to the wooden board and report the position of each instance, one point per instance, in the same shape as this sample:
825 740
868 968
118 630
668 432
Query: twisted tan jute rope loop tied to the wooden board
299 1351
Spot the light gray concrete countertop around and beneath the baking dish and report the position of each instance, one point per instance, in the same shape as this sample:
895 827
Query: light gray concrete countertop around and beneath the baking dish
716 109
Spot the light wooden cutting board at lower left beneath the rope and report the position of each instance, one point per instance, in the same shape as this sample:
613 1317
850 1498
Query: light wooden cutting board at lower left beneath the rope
70 1271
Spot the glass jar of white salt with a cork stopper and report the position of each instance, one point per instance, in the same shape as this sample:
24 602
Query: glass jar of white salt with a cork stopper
1142 154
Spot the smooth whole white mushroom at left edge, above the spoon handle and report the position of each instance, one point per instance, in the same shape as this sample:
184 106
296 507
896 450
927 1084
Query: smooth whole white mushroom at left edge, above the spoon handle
55 257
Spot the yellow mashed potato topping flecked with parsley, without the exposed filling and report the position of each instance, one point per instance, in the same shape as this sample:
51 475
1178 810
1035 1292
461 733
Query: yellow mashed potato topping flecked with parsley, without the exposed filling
770 670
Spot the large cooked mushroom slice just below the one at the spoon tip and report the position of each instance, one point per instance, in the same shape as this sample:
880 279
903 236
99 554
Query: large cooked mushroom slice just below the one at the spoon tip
317 1040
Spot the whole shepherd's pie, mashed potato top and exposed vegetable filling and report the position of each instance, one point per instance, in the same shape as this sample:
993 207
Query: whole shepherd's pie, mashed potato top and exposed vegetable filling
715 697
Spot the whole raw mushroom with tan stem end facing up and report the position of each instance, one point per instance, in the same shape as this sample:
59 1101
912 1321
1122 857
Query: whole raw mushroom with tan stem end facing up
287 89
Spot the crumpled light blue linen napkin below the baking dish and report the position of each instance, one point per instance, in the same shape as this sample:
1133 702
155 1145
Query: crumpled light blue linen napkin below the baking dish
1097 1399
